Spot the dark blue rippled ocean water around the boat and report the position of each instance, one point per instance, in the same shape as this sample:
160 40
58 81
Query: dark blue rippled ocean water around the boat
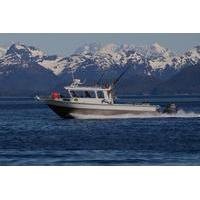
31 134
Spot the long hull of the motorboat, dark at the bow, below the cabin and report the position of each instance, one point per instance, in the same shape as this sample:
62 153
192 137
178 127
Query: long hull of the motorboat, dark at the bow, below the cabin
71 110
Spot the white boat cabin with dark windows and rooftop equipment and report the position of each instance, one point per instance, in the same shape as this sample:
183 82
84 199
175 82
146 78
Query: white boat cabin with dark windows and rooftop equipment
91 95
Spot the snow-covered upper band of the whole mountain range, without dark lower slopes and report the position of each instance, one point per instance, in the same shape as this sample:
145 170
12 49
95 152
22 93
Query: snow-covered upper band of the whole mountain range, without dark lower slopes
147 59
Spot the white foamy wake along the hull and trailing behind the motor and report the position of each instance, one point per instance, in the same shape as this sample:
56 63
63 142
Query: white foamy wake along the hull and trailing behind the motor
179 114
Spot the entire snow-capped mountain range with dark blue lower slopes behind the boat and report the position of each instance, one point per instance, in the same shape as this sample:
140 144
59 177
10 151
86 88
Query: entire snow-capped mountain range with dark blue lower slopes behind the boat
24 65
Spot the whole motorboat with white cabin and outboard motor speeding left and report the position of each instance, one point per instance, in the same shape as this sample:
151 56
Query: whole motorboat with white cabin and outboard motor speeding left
96 101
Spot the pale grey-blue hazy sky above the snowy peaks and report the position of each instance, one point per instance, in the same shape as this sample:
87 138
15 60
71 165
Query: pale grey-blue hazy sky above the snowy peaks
66 43
